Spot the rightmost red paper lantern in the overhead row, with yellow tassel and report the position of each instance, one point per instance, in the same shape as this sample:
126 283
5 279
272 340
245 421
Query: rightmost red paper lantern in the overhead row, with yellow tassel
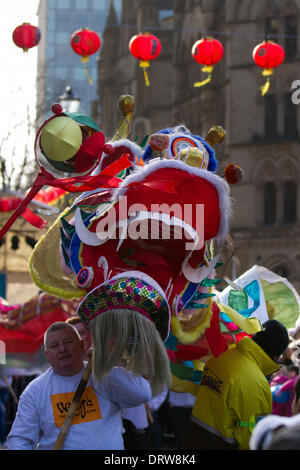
268 55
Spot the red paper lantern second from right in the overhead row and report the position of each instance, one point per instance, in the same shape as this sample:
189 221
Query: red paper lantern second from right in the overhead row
207 52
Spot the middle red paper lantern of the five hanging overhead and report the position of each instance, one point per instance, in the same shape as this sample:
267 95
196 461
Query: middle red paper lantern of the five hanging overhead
145 47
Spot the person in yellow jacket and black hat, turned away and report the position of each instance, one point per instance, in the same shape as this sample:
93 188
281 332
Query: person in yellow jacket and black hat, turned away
234 392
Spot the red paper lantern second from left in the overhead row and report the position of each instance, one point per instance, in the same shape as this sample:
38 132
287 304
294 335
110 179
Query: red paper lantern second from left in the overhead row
85 42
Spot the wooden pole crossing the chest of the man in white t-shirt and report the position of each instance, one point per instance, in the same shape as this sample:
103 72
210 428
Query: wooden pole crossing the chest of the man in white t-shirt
74 406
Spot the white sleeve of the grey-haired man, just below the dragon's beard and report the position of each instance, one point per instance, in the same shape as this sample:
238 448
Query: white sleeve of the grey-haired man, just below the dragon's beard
125 389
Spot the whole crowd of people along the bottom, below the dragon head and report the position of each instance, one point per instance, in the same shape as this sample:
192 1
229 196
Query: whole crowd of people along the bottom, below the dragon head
258 381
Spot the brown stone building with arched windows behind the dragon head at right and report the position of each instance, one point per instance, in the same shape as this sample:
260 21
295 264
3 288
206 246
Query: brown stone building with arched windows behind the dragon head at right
263 131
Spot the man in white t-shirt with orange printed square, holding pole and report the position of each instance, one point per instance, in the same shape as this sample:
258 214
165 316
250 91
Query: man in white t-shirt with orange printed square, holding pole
45 401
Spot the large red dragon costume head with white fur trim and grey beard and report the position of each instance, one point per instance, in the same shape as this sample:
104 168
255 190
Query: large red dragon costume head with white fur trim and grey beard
139 253
